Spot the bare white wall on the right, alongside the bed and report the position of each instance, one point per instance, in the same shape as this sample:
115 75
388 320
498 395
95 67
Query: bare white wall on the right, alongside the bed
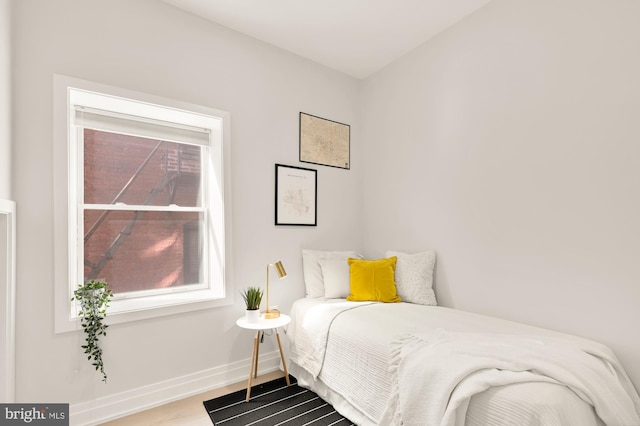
510 145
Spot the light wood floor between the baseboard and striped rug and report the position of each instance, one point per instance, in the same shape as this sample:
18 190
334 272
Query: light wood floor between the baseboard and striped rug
186 412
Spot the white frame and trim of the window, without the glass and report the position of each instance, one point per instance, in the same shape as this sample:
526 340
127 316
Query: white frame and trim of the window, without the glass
72 95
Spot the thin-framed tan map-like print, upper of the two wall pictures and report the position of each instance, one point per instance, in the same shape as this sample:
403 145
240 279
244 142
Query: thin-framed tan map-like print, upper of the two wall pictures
324 142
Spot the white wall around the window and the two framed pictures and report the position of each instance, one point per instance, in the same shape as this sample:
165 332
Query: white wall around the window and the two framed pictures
151 47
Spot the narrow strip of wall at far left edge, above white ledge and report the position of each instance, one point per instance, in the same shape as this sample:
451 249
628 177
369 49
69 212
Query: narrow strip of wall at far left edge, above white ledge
5 99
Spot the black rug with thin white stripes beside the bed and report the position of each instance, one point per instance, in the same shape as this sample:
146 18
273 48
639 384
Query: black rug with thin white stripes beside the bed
273 403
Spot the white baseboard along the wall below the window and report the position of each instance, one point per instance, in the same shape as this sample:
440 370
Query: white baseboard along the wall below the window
126 403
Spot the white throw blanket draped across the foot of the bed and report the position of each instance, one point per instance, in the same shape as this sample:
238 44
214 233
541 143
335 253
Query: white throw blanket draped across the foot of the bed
438 372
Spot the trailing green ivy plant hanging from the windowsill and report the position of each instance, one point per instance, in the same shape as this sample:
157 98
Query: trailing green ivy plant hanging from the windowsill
94 298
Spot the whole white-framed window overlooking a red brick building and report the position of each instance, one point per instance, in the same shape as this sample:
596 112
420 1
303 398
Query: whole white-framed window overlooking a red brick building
145 191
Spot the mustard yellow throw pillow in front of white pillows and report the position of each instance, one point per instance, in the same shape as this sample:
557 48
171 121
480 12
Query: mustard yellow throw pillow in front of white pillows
373 280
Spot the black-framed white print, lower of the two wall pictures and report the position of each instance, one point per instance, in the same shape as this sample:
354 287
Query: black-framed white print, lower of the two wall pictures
296 196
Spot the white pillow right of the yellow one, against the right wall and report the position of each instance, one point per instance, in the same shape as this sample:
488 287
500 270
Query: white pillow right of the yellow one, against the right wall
414 276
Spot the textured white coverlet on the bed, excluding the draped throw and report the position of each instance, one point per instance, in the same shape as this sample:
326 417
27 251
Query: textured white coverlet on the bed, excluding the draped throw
353 373
